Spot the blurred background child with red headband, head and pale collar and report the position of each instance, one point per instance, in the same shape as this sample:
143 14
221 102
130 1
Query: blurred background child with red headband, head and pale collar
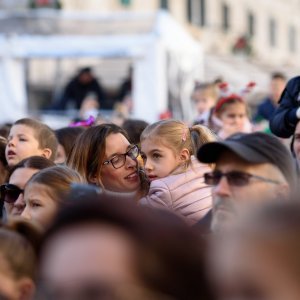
232 113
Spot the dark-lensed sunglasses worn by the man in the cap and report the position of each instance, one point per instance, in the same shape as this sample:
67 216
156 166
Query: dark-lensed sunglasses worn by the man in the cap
234 178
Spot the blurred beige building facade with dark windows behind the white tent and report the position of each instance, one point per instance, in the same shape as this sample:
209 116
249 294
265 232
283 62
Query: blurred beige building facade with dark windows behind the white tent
272 27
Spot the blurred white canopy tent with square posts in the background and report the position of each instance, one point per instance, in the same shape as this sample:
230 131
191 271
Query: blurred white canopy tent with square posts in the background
159 57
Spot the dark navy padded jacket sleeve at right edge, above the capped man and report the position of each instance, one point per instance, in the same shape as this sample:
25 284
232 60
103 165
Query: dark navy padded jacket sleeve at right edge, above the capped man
284 120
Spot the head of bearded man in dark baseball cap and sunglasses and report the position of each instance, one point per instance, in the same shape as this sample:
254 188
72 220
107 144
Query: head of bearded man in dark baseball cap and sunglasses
250 169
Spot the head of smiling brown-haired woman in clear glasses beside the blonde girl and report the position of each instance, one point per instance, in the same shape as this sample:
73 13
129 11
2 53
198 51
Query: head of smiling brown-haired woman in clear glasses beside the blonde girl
104 156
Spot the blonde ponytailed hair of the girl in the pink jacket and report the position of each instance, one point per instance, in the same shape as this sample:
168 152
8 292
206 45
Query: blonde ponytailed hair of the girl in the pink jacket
177 136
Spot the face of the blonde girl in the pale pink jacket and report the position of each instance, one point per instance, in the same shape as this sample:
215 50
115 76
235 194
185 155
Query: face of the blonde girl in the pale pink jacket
160 161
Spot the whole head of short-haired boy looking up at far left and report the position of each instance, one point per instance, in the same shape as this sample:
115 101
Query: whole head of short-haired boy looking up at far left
27 138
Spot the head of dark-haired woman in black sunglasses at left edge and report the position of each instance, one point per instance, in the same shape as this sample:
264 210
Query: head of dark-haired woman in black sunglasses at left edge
11 193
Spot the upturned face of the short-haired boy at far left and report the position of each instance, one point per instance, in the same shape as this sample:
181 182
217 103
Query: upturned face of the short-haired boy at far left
21 144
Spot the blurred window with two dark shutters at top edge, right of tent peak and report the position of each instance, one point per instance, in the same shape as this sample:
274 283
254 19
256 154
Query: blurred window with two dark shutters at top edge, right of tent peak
196 12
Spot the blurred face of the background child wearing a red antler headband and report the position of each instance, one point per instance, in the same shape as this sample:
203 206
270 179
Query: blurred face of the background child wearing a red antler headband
234 115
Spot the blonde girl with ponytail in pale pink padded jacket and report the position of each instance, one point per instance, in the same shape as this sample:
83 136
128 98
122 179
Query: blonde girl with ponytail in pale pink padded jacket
176 177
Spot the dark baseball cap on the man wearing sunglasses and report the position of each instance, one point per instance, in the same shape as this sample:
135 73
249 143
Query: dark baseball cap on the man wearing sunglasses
256 148
